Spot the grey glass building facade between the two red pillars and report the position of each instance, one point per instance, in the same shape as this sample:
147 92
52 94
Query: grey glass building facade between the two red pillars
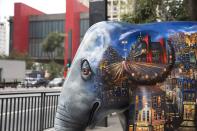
38 31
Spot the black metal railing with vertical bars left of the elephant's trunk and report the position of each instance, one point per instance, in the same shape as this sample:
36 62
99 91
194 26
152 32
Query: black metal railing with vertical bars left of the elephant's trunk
28 110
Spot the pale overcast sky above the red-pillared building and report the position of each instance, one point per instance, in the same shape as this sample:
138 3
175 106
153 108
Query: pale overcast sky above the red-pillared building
47 6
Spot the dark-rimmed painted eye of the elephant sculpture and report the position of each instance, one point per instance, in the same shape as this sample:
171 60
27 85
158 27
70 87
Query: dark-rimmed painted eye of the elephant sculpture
86 71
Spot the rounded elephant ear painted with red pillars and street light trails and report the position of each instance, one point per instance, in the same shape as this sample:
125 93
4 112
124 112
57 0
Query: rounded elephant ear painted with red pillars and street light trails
143 68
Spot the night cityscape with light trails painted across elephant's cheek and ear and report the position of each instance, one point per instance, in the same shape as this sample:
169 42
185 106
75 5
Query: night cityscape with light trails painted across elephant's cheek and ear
146 63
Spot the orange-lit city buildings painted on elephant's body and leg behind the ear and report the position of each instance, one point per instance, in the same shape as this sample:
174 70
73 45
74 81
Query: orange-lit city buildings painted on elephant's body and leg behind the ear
170 105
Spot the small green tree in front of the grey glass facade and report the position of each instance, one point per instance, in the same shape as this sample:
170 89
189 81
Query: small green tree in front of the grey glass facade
52 42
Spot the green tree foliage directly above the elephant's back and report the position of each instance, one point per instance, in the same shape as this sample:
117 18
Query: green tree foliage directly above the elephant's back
158 10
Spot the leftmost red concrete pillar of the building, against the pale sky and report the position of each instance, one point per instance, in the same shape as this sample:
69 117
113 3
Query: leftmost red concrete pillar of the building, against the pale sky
21 26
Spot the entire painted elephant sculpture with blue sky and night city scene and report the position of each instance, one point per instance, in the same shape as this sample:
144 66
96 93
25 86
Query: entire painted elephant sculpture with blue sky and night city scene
148 70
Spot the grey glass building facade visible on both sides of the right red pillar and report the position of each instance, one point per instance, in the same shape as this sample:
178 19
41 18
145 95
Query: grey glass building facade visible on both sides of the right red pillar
40 27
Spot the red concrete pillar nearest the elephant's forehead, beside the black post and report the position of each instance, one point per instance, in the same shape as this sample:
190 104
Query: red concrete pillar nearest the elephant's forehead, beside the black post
72 28
